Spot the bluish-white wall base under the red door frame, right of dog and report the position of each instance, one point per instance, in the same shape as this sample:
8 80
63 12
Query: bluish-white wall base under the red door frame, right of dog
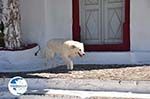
114 58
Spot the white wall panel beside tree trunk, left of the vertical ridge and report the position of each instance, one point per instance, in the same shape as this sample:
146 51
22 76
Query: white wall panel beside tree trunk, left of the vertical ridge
33 22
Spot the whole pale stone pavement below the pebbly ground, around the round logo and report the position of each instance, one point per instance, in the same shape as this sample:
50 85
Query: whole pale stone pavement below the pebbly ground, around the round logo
79 89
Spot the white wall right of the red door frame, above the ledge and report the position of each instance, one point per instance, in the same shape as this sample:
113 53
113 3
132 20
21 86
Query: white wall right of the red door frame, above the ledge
140 25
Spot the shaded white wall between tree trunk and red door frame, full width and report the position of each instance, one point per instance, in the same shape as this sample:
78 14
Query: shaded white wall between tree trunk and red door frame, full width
46 19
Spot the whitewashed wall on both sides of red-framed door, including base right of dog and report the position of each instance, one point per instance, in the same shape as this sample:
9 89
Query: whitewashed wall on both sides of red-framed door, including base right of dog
46 19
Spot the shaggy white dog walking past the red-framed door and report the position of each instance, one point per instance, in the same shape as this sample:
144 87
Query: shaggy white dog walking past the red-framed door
67 49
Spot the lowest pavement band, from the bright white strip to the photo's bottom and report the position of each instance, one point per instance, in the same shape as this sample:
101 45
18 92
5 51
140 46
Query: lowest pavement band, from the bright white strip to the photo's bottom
76 94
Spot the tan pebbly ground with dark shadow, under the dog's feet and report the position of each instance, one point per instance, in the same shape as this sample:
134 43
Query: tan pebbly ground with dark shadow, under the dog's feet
102 72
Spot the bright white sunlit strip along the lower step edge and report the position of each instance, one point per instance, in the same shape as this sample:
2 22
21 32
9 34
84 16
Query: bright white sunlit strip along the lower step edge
90 94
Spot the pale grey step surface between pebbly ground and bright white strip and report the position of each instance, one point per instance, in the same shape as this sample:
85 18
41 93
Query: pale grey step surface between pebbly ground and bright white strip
91 85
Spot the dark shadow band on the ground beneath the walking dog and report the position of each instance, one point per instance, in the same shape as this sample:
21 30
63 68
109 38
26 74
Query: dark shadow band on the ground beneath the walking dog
63 69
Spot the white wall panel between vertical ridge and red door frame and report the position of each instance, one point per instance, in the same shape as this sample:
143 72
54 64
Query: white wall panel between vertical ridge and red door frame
59 19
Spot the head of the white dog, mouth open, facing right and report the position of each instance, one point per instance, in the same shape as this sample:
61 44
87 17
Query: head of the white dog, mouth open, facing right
78 48
